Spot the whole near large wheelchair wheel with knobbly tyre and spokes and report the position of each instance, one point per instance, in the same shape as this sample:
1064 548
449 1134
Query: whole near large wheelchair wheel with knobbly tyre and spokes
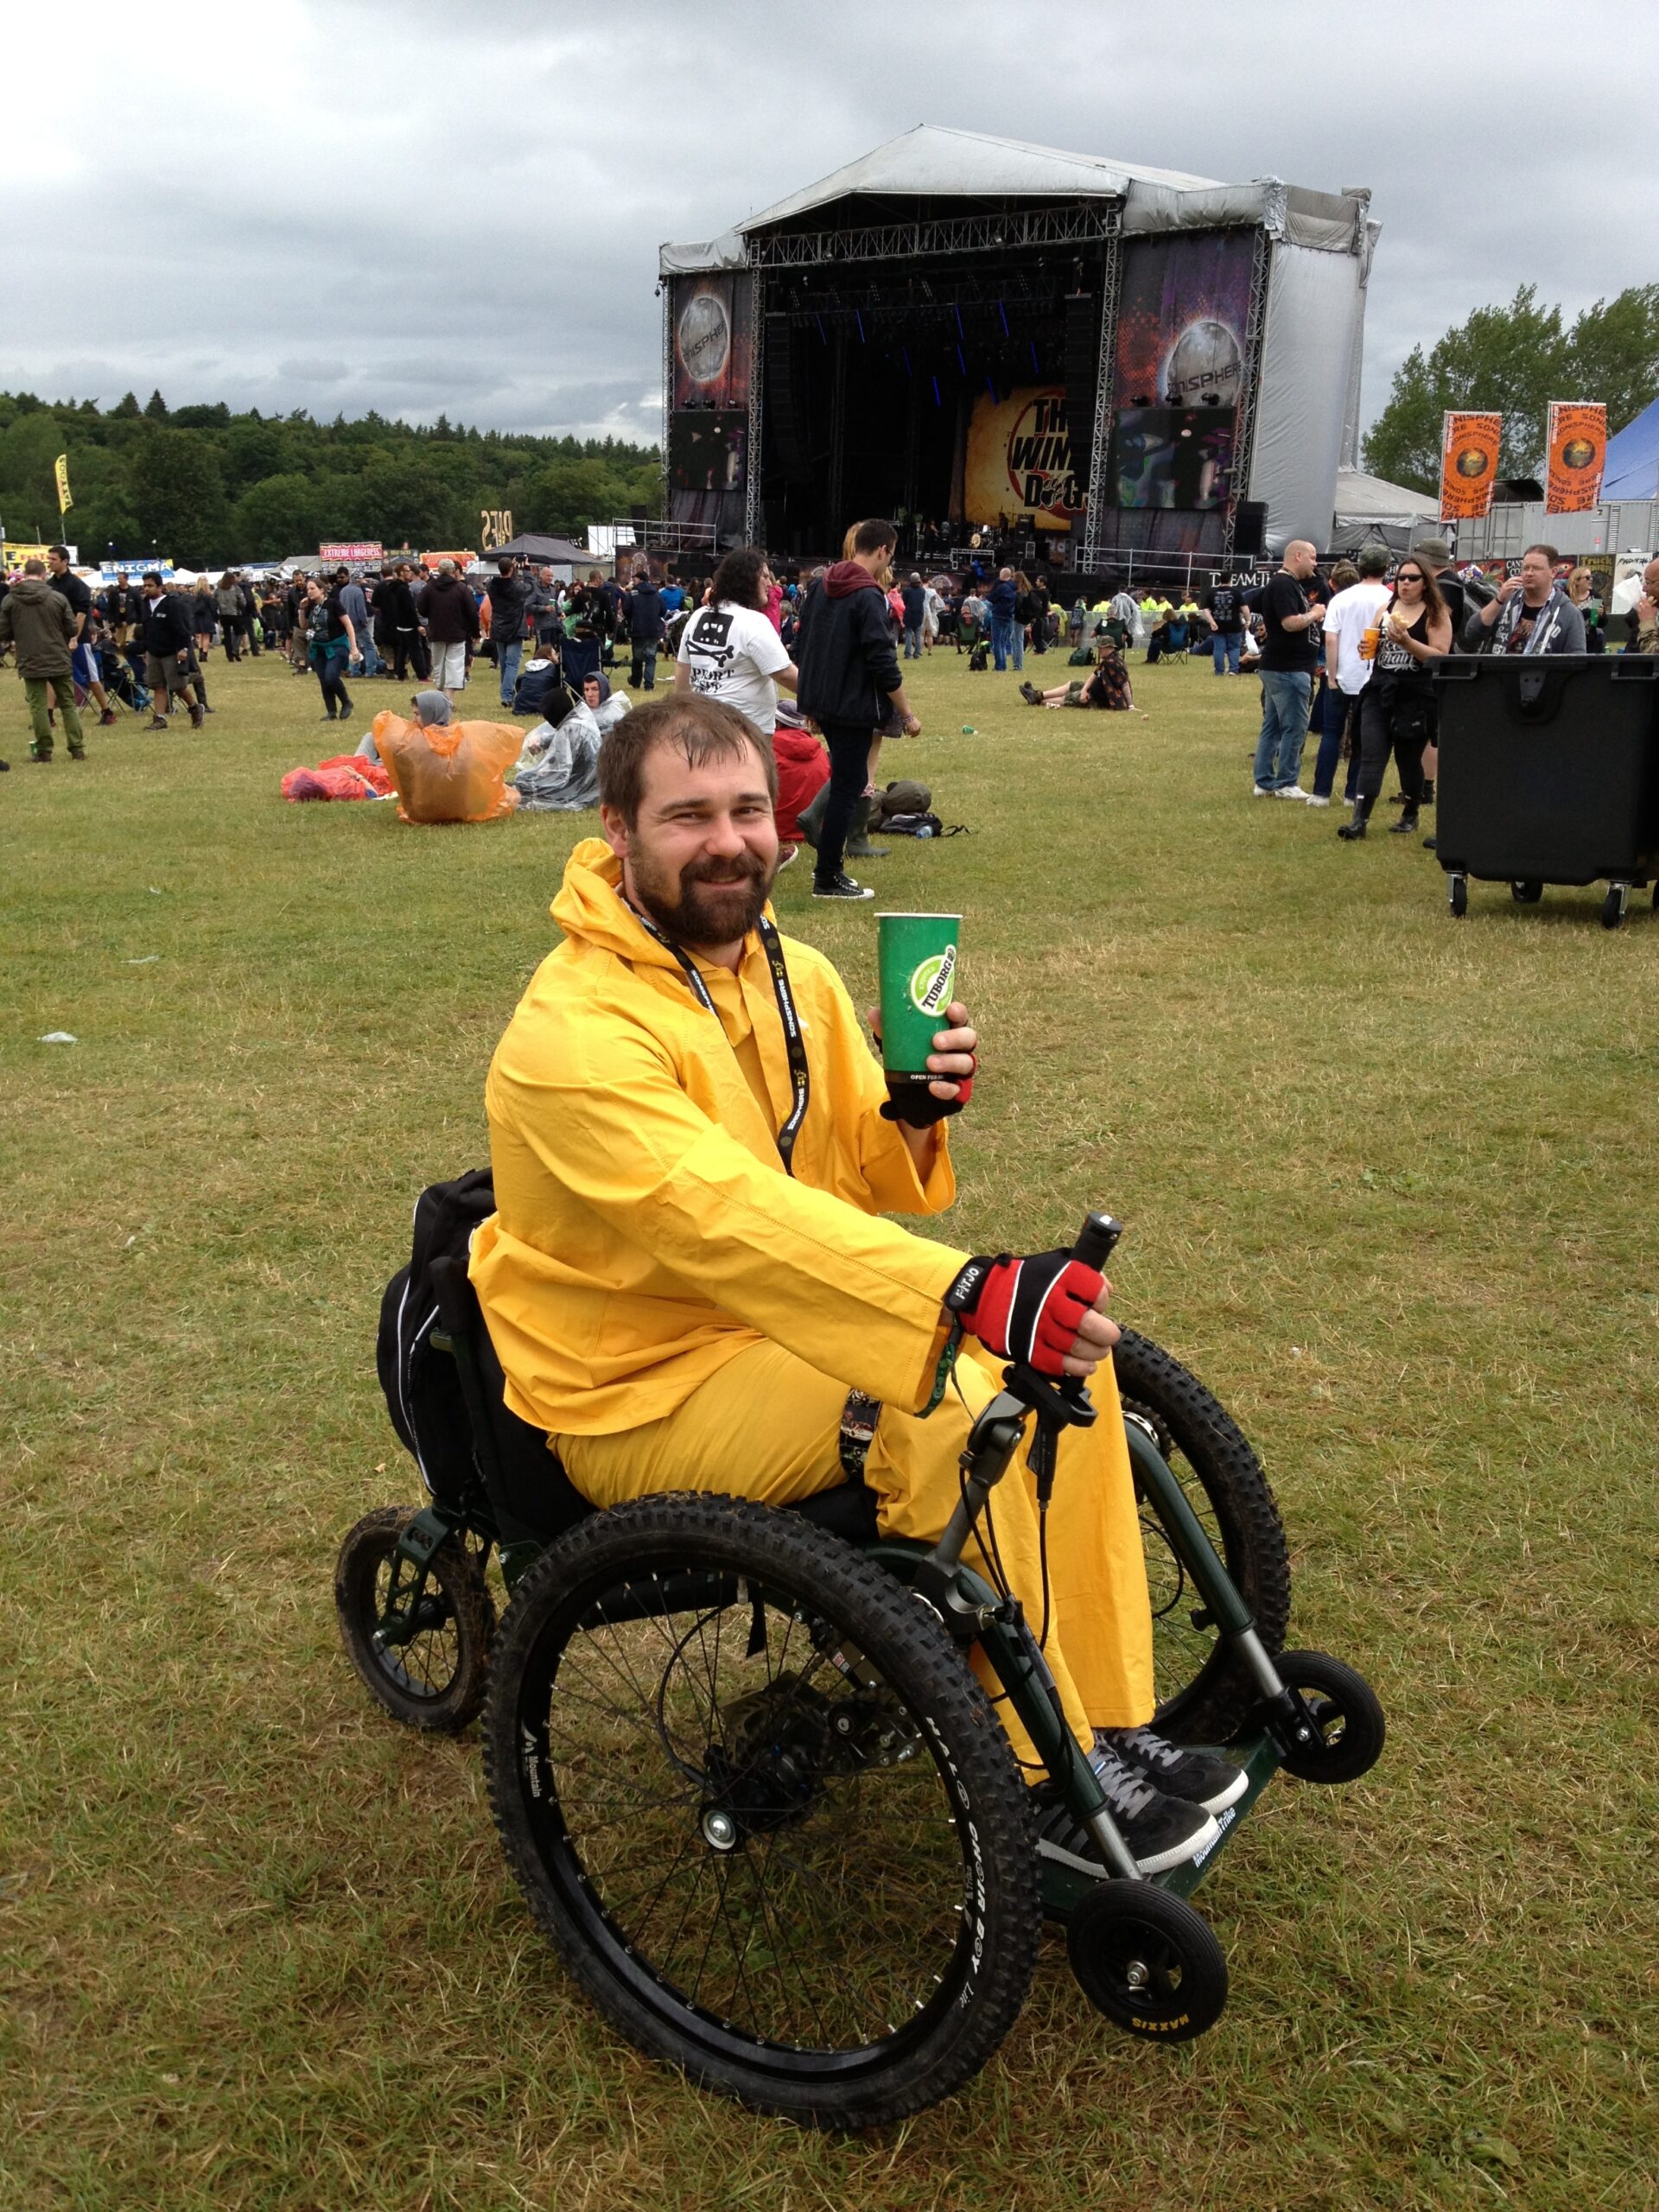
762 1808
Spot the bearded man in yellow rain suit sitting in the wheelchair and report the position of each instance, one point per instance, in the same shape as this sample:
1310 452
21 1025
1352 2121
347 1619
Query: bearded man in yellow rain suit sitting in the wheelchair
689 1280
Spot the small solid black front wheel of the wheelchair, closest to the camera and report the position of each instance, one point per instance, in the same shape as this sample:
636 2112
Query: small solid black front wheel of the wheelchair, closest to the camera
1147 1961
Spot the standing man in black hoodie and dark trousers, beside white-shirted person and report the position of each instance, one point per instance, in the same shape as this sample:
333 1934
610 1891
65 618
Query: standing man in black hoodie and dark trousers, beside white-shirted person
851 685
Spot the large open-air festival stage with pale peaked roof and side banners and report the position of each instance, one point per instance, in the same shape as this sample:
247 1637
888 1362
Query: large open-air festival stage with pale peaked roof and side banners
972 326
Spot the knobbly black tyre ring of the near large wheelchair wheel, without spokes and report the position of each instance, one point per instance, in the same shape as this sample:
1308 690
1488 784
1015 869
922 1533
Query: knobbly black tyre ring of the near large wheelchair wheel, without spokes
972 1753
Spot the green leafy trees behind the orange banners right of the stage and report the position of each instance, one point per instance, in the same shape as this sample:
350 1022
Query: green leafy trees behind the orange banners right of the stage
1514 362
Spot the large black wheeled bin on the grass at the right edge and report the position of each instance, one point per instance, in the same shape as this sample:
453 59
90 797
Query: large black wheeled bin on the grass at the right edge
1550 773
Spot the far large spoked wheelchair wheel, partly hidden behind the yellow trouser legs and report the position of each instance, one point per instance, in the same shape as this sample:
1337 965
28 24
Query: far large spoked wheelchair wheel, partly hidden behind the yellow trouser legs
1202 1691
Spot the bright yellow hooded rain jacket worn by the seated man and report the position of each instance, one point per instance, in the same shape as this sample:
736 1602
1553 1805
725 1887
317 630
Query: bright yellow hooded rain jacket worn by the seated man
645 1229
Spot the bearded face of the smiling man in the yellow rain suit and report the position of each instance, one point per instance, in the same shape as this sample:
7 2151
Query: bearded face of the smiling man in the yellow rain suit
702 855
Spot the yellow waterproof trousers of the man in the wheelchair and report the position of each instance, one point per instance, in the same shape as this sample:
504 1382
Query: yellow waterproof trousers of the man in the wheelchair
769 1428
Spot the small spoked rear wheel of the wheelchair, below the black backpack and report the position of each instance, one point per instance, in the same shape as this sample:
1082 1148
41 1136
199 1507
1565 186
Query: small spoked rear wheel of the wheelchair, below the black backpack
441 1676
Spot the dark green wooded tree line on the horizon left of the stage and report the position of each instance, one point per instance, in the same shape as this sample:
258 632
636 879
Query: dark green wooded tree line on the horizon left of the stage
205 486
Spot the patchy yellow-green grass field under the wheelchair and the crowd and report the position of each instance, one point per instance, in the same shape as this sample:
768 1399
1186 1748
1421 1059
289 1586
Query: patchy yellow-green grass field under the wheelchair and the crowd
1390 1187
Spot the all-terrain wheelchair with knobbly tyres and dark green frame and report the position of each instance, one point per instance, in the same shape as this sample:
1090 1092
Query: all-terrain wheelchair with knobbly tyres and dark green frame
742 1768
